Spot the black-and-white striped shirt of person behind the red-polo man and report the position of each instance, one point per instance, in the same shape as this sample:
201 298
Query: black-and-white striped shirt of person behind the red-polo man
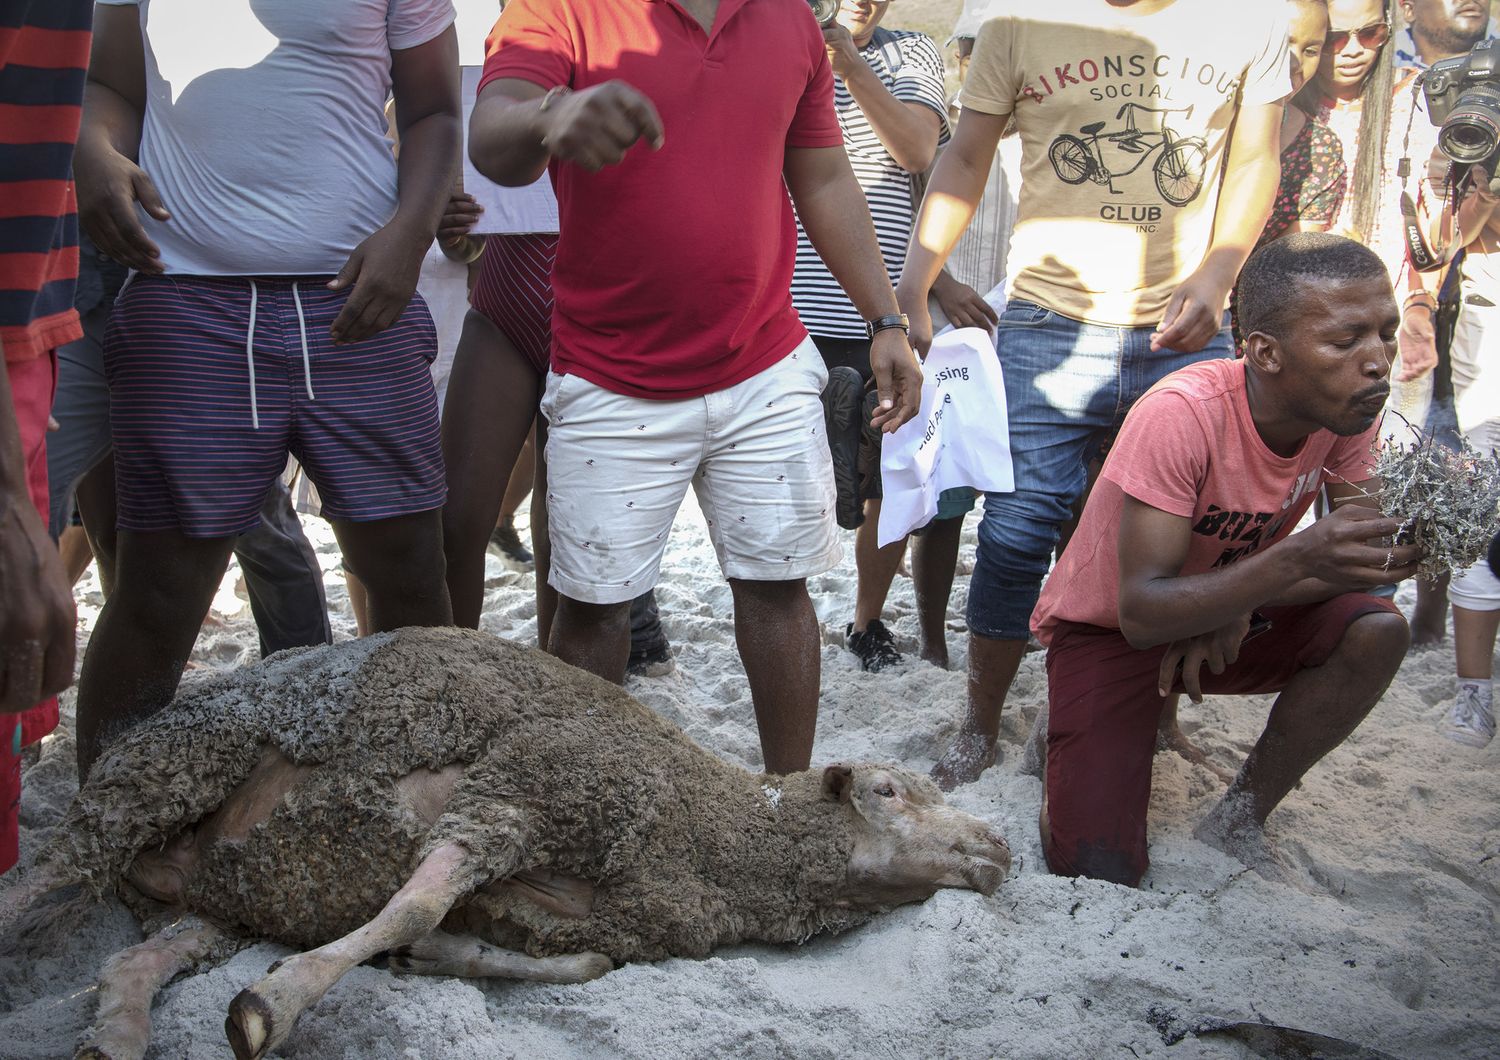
908 64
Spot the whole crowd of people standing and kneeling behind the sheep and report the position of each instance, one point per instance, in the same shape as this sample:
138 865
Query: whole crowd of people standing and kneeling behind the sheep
734 235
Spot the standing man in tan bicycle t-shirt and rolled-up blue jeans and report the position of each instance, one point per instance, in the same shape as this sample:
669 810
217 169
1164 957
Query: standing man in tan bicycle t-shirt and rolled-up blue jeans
1136 214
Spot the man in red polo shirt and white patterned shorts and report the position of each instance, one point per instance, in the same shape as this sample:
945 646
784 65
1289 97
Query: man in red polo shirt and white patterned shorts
674 133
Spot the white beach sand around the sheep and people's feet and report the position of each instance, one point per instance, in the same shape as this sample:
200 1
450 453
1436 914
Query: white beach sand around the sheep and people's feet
1388 939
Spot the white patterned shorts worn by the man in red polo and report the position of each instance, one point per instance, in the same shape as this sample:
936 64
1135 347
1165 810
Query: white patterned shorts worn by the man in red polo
757 457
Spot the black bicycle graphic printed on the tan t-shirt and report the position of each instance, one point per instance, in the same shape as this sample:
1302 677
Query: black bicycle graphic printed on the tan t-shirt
1178 169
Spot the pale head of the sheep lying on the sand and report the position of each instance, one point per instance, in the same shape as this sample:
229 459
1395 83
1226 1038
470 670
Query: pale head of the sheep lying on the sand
908 842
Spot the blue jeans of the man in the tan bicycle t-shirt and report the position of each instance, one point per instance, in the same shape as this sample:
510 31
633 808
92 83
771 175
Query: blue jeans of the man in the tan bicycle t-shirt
1067 389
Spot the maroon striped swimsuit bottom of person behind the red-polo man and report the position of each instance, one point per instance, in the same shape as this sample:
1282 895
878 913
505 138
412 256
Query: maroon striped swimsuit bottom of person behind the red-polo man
514 292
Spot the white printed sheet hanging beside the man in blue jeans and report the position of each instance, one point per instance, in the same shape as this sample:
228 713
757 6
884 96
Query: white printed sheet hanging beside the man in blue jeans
959 439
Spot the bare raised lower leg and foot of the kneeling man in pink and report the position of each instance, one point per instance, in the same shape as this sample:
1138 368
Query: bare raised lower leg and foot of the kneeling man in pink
1316 711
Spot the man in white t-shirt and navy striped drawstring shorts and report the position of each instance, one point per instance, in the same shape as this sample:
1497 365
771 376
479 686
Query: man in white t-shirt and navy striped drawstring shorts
236 155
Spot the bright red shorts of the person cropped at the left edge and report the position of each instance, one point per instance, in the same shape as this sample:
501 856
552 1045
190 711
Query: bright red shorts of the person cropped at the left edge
32 386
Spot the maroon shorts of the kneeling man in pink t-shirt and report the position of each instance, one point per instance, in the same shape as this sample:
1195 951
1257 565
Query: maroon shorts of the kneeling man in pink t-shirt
1103 713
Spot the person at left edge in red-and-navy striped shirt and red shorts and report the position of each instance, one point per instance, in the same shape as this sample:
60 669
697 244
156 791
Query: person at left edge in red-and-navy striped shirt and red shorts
44 50
